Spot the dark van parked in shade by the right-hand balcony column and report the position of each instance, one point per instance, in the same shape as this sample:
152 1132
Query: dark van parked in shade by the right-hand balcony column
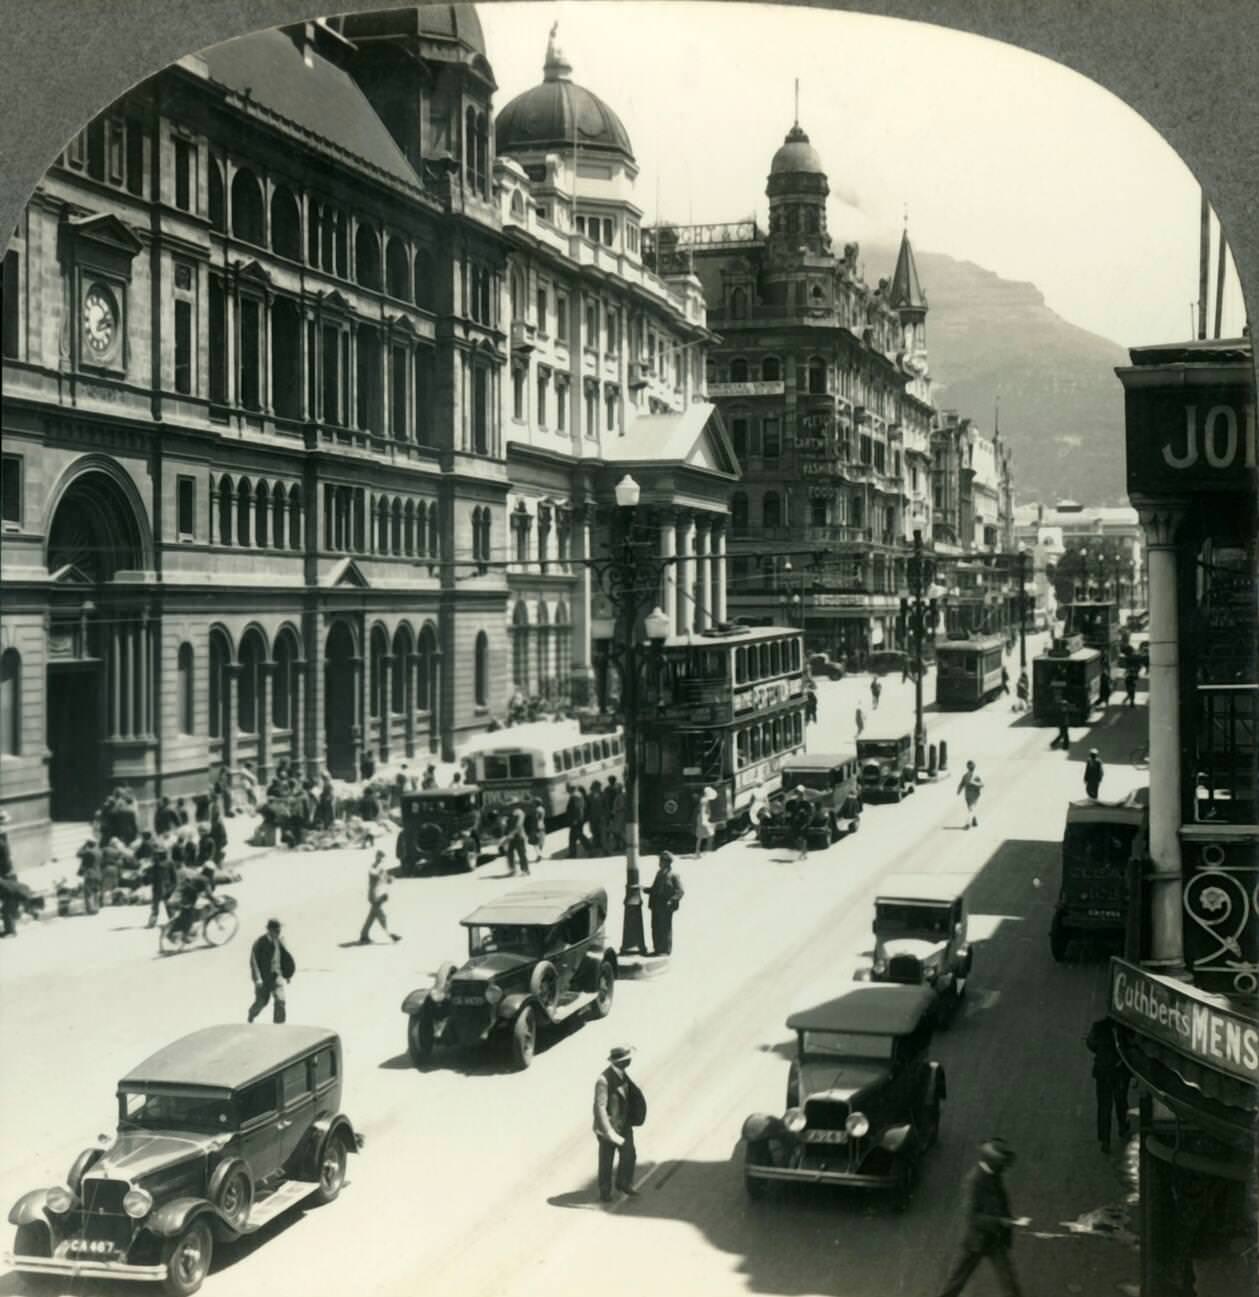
1098 842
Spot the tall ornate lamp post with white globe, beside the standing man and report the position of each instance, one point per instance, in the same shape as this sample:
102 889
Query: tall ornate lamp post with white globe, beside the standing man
631 579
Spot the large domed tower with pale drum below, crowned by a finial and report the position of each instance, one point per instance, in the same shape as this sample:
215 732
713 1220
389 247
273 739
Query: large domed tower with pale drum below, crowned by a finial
576 154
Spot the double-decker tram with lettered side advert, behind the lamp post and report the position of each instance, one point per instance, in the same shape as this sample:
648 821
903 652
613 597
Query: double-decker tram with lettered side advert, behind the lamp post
724 711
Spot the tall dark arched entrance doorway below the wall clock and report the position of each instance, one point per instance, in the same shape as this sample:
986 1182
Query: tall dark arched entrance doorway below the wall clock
102 665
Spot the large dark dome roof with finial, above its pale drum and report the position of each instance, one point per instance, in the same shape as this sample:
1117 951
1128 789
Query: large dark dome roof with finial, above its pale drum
552 116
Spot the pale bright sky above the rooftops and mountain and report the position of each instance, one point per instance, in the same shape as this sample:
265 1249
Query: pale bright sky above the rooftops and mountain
1002 158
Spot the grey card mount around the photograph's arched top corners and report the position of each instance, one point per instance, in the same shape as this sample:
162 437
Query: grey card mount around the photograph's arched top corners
1186 69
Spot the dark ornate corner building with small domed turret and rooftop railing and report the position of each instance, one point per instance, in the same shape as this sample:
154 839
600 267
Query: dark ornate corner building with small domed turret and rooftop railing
824 387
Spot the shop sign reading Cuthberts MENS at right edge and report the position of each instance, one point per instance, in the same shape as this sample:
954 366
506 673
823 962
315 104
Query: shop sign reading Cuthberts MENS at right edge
1175 1015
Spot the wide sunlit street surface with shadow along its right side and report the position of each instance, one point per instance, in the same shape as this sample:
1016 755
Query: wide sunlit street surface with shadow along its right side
479 1182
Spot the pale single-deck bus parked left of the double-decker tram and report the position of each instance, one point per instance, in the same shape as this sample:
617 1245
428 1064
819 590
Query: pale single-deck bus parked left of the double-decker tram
541 759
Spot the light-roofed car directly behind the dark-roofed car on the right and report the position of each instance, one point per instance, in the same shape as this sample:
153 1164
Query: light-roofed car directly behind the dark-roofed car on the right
920 937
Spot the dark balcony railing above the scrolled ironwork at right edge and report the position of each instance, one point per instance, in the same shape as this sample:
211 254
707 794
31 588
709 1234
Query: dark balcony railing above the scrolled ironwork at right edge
1226 772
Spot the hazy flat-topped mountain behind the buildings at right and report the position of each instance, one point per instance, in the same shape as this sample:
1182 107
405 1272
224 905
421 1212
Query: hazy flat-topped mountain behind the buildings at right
1061 404
